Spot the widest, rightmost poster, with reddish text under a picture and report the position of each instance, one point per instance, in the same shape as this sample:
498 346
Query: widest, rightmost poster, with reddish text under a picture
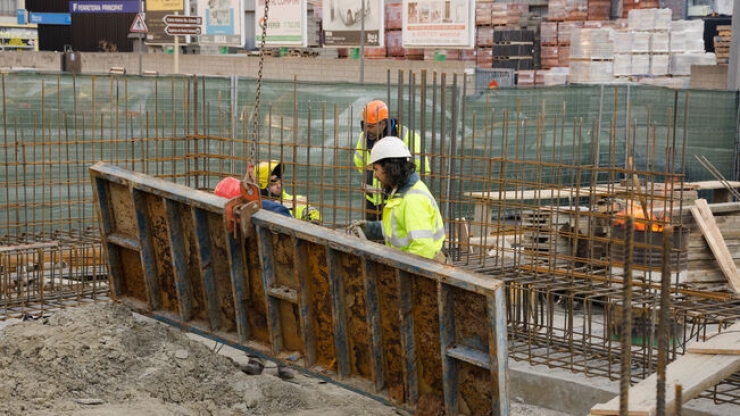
446 24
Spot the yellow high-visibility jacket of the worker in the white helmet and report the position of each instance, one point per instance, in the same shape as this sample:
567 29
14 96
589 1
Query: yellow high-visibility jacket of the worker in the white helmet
412 222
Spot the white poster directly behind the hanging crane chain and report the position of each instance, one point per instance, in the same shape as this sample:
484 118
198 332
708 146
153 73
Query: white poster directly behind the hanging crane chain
286 23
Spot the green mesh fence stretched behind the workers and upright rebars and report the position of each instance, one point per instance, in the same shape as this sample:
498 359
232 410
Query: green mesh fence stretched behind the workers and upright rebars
196 130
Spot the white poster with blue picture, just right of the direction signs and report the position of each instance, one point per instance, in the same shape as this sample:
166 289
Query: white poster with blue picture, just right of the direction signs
222 22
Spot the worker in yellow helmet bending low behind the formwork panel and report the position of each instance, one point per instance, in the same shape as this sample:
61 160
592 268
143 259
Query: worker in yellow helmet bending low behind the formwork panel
269 176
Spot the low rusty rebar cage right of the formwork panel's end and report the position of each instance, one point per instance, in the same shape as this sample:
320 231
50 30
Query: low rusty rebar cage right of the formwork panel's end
575 325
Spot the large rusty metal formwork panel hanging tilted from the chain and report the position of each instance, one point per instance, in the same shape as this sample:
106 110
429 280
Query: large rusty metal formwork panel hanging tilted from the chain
396 327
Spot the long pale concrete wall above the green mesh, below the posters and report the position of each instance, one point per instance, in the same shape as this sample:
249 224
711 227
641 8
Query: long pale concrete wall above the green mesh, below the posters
285 68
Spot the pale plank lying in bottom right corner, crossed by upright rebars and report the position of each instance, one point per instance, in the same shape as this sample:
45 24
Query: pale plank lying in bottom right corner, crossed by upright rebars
694 372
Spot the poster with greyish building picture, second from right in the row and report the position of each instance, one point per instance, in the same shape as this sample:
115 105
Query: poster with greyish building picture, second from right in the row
343 23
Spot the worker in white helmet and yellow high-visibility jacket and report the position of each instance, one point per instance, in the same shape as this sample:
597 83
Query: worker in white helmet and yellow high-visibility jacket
411 219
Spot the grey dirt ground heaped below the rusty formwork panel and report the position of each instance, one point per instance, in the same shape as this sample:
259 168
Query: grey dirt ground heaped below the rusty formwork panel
104 360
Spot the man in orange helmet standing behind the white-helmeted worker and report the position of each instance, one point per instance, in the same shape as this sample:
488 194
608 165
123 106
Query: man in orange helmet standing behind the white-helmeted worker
377 124
